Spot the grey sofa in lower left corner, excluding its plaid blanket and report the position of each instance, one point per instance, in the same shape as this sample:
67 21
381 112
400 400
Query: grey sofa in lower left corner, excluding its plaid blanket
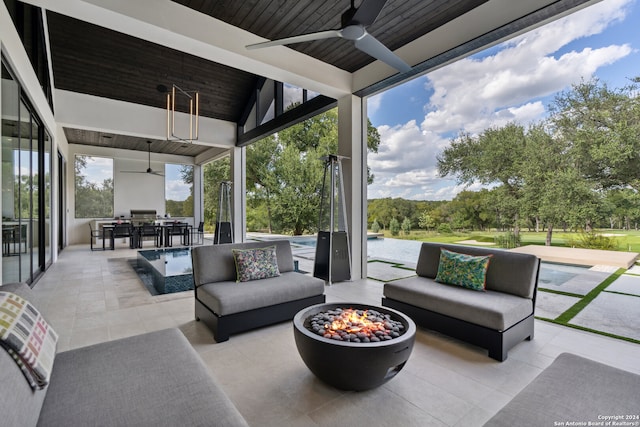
155 379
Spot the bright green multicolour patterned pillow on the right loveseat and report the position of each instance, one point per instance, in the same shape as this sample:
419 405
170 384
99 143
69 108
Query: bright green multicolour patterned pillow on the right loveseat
463 270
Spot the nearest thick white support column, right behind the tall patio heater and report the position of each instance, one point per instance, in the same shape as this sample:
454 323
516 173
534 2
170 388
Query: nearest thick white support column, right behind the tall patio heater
352 143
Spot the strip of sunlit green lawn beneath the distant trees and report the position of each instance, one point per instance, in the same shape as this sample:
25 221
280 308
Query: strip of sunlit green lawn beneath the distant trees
627 240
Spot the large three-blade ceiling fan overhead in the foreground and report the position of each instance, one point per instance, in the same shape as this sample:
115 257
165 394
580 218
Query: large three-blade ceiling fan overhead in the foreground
354 23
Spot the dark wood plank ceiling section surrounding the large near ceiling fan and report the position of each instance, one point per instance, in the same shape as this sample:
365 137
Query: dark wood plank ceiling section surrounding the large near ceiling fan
400 22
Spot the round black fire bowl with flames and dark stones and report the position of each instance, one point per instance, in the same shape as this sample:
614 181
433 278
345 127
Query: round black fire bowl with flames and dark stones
353 346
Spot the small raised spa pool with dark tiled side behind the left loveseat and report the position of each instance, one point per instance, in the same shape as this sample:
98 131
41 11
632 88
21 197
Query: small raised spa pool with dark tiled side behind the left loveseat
170 269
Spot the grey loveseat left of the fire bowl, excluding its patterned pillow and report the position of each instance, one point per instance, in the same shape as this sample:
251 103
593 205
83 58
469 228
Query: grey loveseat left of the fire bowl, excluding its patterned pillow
227 306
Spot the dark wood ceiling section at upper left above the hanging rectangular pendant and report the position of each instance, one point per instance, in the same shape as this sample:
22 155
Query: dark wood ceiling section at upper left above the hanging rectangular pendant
103 62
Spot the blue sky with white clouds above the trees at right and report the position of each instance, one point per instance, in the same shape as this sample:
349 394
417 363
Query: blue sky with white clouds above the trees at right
513 81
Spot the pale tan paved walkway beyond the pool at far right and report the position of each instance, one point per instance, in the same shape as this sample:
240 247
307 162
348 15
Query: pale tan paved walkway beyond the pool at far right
579 256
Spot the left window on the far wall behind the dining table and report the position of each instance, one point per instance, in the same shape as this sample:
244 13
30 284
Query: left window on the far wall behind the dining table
93 187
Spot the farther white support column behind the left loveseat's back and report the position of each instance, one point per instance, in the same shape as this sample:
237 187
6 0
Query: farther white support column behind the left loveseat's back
238 199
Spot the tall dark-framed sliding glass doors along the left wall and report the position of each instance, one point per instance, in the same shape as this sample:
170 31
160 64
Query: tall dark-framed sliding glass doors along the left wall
26 186
